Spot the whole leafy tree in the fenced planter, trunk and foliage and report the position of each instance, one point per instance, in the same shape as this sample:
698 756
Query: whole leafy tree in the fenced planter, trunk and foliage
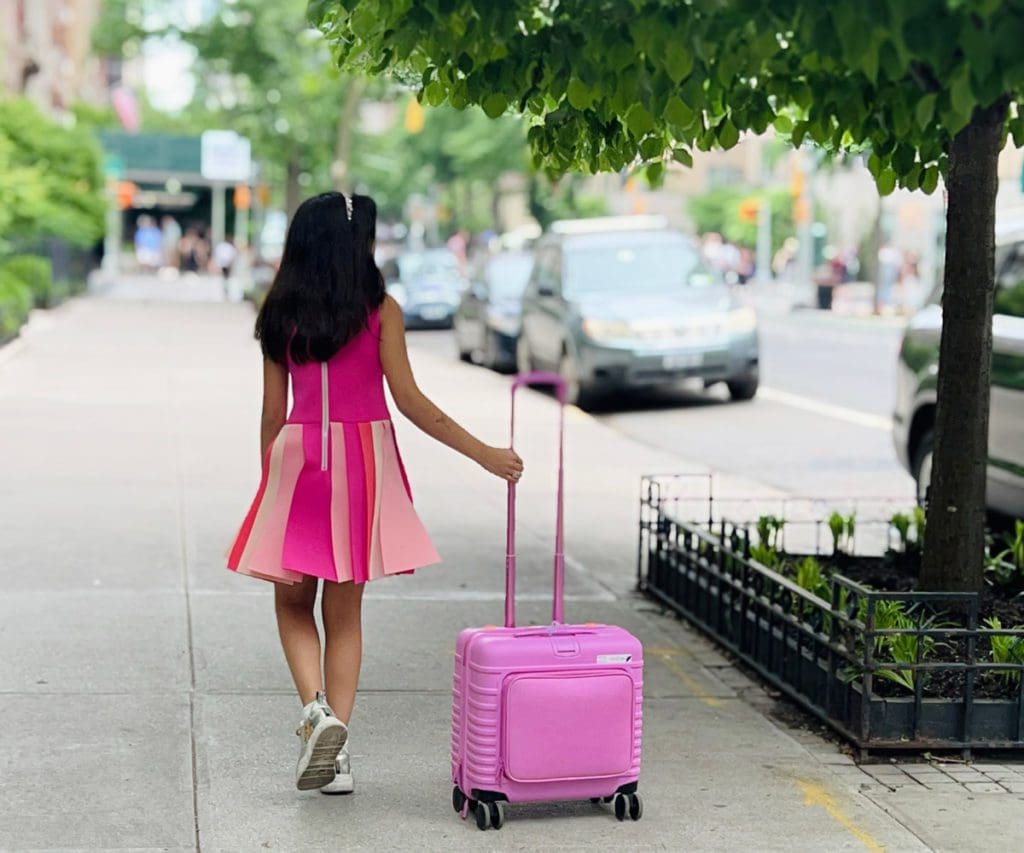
925 89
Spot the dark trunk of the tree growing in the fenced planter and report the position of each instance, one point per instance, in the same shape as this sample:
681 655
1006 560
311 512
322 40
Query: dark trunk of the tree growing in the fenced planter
955 544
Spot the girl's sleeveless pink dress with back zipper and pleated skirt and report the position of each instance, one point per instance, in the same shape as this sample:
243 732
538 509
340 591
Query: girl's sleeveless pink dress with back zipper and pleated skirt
334 501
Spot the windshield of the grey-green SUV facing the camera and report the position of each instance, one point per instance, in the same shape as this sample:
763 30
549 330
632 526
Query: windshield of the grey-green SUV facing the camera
624 267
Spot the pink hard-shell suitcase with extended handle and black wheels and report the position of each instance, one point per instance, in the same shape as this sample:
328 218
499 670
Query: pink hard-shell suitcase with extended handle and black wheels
545 713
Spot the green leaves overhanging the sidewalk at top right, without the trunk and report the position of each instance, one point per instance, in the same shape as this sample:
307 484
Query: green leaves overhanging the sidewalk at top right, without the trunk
613 83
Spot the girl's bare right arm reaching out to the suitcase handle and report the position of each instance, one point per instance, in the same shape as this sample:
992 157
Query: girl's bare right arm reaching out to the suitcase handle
414 404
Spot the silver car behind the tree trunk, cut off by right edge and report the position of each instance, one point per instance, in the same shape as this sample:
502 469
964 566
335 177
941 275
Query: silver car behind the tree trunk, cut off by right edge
914 421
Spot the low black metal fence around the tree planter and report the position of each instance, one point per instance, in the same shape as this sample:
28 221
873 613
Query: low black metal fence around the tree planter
831 653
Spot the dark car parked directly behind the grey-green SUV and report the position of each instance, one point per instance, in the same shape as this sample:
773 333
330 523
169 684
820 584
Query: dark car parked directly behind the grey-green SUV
487 323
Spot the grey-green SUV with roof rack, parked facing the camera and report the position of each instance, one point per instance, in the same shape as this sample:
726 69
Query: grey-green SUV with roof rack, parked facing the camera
626 303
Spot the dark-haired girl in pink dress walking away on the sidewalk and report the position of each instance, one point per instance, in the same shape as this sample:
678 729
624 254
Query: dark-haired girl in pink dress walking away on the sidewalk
334 504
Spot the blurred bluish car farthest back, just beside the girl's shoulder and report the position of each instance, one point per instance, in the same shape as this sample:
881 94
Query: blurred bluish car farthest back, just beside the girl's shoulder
429 286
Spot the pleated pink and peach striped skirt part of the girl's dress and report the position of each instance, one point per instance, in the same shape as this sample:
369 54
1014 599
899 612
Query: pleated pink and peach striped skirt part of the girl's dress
334 505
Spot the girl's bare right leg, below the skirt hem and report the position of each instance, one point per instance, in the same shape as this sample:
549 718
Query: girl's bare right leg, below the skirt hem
343 606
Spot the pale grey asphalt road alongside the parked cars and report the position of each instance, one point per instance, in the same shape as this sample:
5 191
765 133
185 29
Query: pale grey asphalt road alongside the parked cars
820 426
